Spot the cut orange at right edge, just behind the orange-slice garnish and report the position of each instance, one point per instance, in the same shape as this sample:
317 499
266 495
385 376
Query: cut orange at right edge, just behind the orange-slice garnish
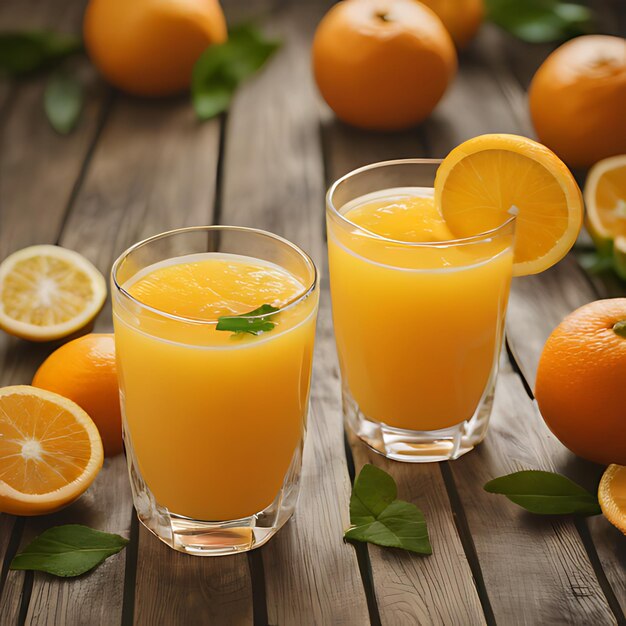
605 200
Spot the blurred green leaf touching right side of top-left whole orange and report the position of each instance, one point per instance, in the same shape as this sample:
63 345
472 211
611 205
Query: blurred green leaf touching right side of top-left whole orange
221 68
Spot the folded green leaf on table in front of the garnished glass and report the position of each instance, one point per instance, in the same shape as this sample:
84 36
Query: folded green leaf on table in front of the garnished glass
378 517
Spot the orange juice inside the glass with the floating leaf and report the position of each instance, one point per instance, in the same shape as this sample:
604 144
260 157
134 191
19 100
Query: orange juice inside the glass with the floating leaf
214 419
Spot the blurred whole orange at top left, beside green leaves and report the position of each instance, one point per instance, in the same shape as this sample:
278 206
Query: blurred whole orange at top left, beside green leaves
149 47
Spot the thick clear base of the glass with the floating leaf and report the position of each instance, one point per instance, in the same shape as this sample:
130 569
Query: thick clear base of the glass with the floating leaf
214 538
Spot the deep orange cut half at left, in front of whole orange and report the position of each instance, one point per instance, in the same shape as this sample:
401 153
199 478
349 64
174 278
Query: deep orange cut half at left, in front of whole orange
50 451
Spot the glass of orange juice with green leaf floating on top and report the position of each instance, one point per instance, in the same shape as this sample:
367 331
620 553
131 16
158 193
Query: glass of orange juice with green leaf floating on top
214 330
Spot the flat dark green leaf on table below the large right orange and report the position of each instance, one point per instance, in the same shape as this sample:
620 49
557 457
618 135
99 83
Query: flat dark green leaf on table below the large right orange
545 493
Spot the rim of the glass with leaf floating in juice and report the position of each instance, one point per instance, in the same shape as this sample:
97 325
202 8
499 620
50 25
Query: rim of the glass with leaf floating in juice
217 228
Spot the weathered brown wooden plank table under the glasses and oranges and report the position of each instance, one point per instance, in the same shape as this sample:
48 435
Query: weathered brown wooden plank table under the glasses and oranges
134 168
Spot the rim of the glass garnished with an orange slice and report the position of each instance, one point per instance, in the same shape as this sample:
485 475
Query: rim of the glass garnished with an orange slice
334 211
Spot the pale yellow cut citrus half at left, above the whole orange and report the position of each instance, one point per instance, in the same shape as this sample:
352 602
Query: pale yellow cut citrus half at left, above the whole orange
48 292
